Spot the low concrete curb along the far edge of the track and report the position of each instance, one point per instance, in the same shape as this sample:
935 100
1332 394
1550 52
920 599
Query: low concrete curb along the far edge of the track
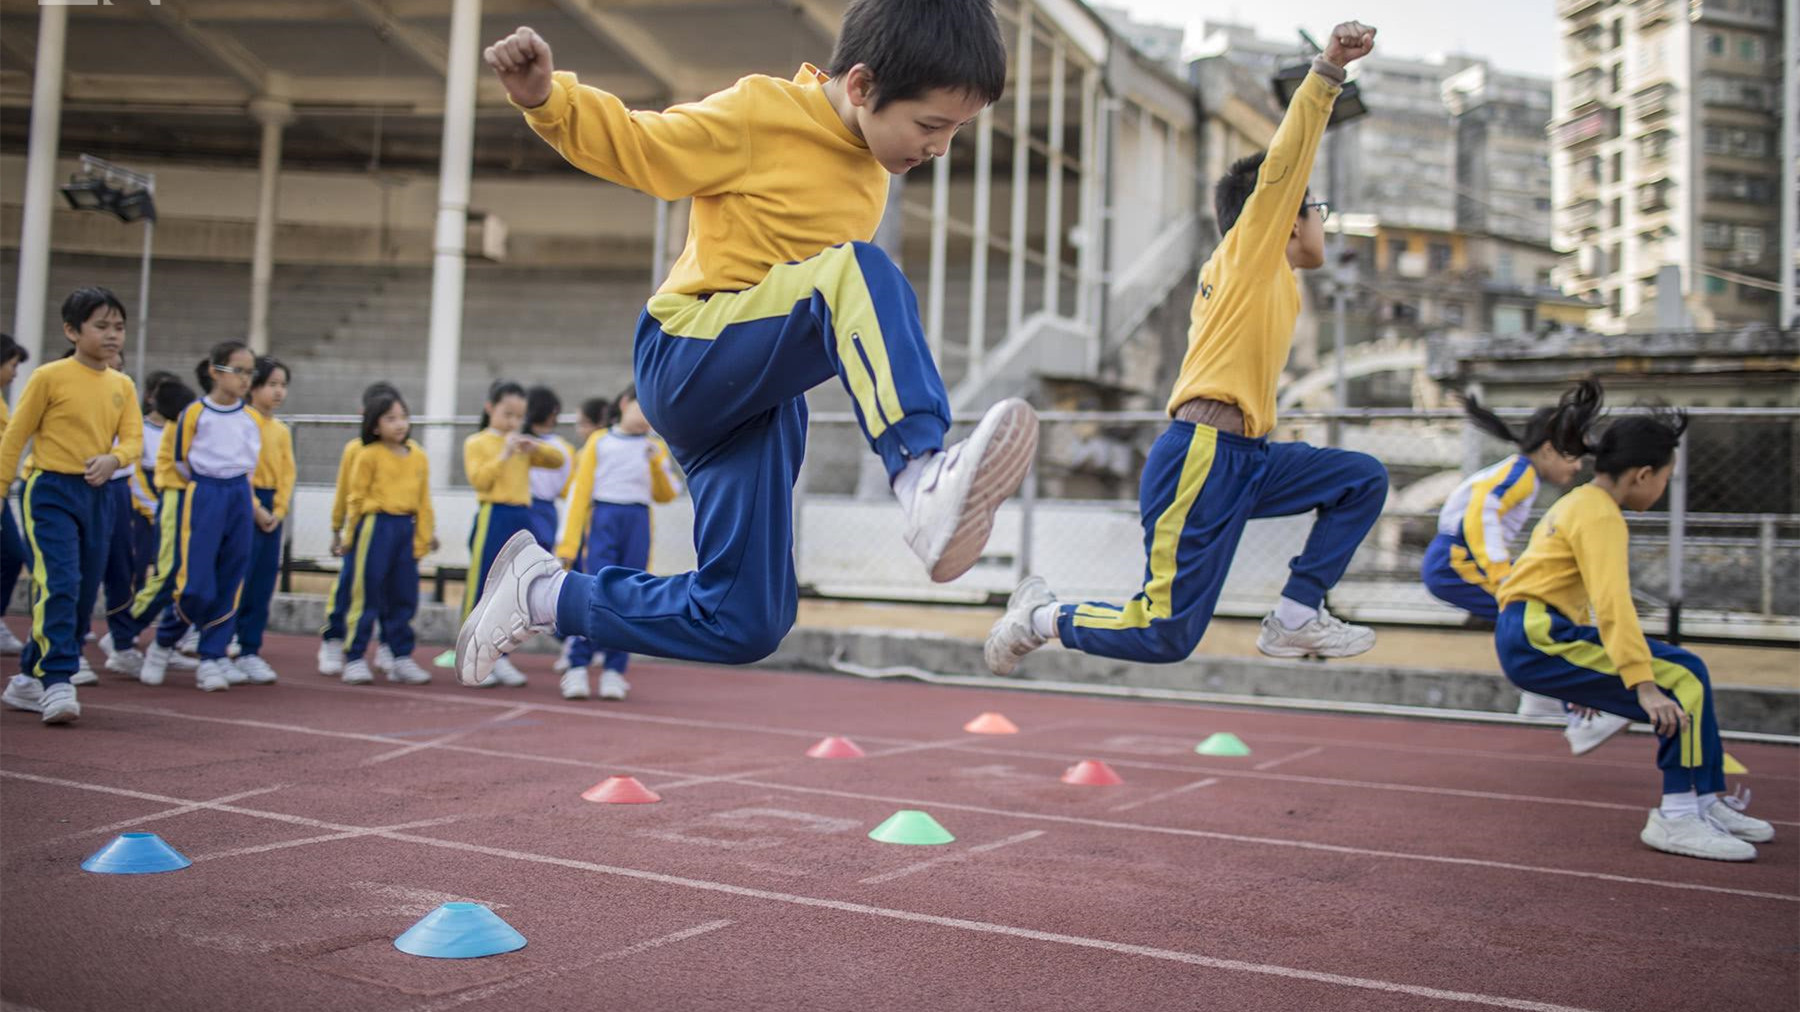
1243 680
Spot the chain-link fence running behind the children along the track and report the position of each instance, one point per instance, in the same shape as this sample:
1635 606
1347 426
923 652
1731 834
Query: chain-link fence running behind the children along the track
1718 557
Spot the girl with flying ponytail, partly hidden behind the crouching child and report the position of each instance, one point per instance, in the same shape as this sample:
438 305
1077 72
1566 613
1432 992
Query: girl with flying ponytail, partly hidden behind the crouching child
1471 554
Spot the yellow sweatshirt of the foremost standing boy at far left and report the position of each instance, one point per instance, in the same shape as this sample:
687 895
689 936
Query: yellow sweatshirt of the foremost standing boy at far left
75 415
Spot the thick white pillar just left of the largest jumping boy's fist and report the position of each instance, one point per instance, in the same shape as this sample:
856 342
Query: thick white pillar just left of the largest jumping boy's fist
453 224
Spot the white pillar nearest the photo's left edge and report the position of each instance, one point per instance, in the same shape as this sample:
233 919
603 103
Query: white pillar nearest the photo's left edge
40 188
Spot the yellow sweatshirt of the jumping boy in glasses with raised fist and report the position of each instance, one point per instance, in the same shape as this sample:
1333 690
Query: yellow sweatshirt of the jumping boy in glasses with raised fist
1243 320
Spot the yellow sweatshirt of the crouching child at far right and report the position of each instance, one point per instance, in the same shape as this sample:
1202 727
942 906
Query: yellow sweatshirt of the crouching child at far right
1578 561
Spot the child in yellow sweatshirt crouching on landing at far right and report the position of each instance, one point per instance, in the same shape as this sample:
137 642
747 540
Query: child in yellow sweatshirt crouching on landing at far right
1578 565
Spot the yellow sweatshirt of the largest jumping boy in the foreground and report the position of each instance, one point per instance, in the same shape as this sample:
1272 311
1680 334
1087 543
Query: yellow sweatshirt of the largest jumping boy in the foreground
773 170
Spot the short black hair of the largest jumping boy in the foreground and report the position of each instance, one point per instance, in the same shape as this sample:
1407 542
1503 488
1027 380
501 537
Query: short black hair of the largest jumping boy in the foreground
917 46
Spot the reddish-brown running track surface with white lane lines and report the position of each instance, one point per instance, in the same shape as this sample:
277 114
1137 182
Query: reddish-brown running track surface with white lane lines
1347 863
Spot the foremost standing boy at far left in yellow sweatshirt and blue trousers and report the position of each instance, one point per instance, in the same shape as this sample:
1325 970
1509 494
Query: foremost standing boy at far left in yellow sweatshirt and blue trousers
84 422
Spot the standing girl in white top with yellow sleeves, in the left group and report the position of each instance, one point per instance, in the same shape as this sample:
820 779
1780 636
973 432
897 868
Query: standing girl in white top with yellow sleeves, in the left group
208 521
